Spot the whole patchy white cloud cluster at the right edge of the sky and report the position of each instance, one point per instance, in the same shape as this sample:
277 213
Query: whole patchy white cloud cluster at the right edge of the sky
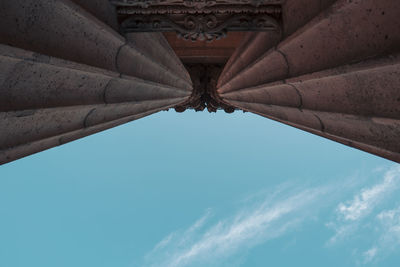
367 209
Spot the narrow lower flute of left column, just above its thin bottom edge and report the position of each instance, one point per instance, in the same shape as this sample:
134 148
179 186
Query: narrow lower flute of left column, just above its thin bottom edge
21 127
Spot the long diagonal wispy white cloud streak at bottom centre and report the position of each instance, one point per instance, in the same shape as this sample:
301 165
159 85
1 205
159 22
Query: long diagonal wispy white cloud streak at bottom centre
264 221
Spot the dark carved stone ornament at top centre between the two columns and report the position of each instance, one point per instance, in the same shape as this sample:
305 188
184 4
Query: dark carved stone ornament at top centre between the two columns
199 19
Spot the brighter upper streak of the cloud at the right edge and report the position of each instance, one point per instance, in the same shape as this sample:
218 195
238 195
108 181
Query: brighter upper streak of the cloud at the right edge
351 213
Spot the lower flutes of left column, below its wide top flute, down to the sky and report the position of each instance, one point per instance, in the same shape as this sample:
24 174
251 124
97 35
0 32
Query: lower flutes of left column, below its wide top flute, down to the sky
45 101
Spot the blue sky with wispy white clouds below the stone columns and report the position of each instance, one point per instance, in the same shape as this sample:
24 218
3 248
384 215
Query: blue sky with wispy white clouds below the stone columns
200 189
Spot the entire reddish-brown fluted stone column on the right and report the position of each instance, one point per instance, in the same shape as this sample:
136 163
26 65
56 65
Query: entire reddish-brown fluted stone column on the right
337 76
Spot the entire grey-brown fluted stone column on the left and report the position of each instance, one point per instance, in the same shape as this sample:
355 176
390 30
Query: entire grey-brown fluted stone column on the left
65 74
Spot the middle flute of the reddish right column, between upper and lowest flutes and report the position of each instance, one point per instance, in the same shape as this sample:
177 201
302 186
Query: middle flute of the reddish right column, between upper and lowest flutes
367 89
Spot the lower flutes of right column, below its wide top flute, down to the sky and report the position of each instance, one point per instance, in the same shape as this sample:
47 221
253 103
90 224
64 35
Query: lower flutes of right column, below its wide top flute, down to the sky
357 105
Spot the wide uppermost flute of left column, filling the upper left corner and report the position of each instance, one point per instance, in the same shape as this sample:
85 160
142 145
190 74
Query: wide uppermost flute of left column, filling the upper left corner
63 29
